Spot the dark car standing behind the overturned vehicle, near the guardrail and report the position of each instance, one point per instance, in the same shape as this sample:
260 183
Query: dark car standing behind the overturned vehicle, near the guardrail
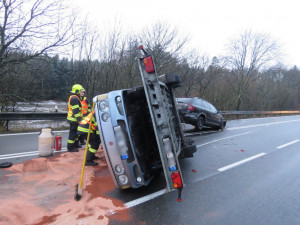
200 113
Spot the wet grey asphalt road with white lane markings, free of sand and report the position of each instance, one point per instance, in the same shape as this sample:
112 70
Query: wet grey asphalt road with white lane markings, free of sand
247 174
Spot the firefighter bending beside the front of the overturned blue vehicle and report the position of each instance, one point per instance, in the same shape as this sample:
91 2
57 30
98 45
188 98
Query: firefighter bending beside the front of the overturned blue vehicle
94 140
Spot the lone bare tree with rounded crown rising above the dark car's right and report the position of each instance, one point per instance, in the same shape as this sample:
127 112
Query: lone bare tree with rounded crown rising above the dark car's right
249 53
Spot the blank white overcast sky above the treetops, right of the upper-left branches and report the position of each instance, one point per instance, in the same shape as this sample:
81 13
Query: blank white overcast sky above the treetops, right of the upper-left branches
211 23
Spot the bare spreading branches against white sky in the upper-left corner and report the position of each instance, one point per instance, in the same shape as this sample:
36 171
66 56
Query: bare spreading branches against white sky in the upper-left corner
33 27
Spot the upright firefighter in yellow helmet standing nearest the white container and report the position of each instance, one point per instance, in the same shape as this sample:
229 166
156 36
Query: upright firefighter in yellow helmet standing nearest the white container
74 116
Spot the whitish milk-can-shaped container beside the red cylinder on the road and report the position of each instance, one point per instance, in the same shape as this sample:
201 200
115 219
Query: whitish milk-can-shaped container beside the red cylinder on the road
46 140
